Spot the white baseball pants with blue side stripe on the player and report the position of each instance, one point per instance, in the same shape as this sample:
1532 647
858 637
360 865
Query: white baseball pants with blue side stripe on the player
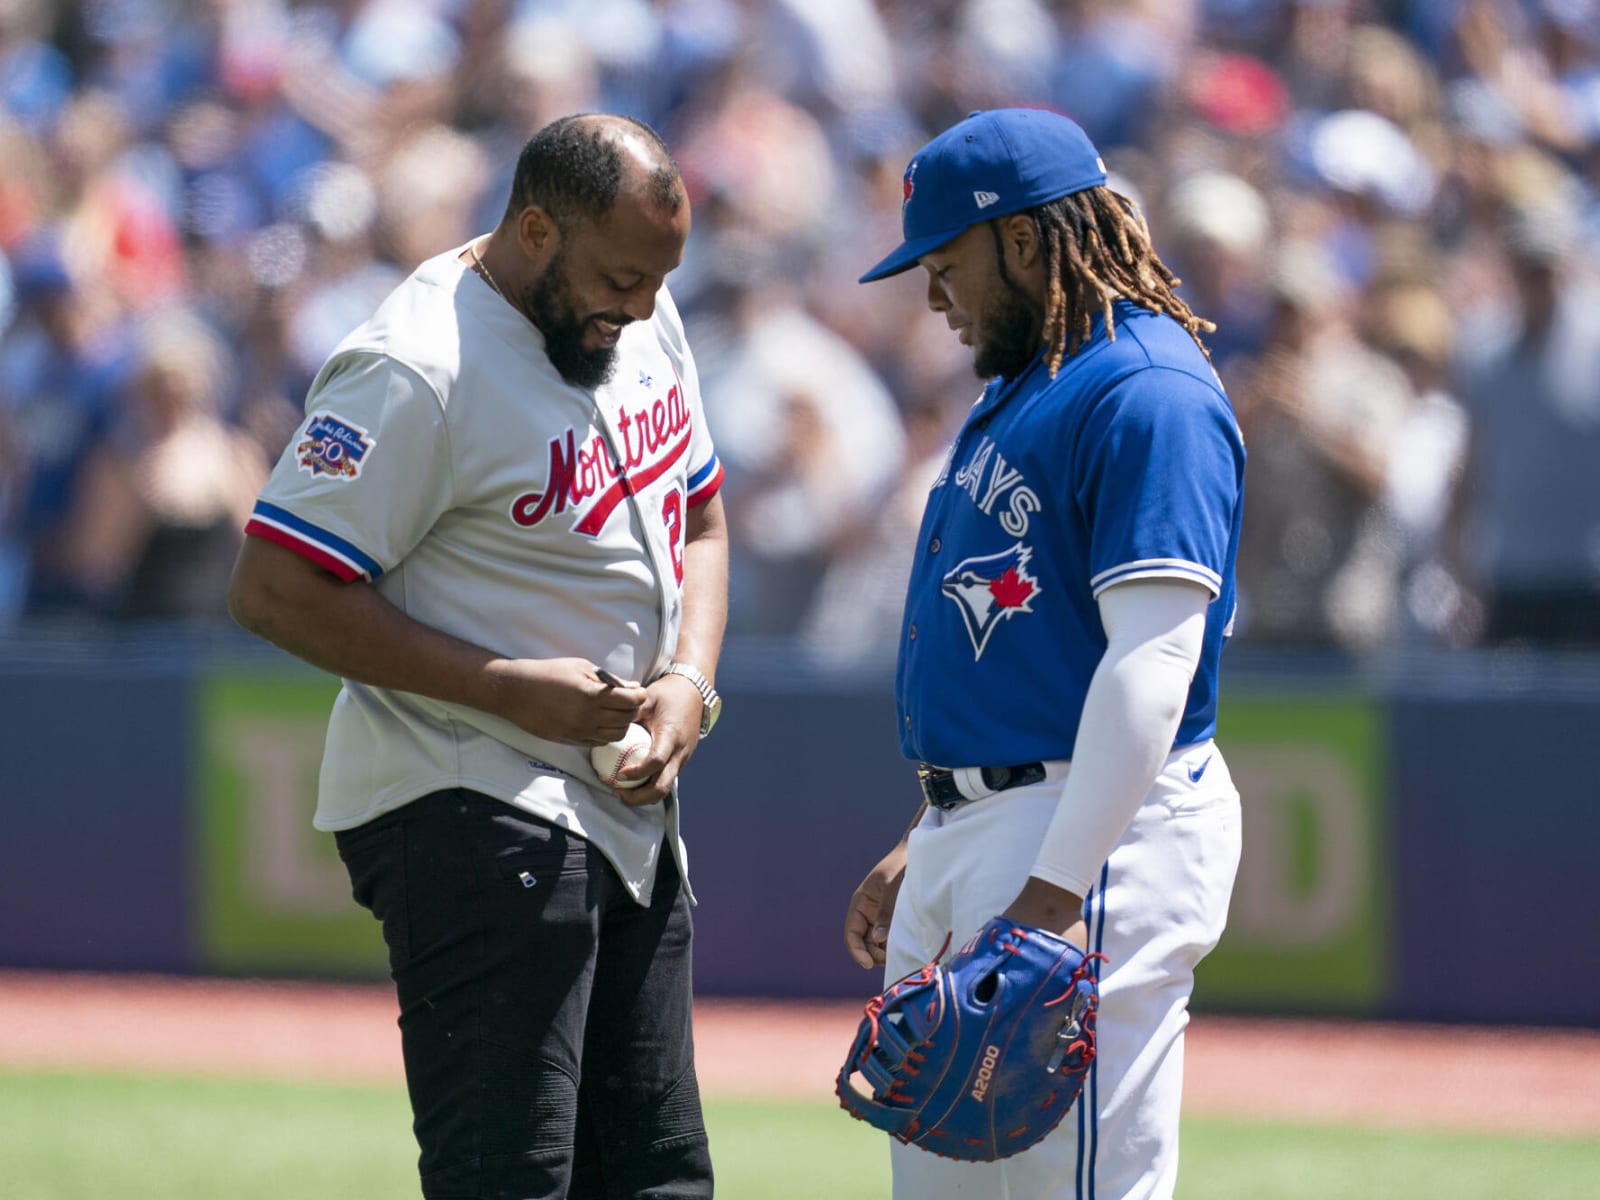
1158 911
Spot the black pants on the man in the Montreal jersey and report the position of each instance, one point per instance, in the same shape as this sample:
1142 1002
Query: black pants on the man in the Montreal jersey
545 1015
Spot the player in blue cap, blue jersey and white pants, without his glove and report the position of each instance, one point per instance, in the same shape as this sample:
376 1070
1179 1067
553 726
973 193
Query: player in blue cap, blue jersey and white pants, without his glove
1058 660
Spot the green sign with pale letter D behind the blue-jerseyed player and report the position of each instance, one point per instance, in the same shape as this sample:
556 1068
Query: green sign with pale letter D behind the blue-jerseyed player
1310 921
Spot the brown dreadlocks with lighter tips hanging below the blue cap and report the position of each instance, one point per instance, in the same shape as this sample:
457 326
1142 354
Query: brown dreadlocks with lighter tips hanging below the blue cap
1097 250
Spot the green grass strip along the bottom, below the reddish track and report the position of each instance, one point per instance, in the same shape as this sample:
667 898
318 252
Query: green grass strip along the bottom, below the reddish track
140 1138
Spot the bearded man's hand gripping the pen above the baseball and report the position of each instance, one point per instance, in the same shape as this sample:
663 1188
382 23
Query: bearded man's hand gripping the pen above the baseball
564 700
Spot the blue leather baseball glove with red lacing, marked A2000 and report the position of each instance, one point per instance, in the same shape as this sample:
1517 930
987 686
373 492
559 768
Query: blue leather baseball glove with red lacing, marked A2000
983 1057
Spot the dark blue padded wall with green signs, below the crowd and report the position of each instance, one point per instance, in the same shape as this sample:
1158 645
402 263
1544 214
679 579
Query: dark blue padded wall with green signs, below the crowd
1418 844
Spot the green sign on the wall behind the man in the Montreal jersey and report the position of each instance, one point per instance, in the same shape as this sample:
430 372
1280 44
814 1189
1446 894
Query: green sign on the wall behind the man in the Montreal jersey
273 895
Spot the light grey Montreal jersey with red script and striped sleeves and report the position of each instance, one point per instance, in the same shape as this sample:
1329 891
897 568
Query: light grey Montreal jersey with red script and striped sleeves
446 460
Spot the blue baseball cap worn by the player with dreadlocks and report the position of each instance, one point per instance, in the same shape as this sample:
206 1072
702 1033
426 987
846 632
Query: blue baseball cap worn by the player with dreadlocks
993 164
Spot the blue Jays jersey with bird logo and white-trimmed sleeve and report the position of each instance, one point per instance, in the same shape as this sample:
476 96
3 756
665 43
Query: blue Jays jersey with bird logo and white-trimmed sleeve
1129 465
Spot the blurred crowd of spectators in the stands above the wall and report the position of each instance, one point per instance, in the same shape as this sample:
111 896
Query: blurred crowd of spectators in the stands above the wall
1390 210
